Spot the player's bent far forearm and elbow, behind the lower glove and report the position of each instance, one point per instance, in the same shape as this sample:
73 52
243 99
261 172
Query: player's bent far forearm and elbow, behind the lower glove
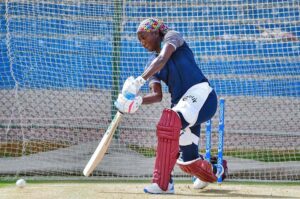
155 94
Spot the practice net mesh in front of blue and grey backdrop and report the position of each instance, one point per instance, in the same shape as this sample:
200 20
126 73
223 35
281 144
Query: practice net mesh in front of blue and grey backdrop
63 63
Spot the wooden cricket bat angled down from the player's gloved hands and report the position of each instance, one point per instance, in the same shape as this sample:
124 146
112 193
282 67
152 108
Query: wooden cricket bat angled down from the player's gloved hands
103 145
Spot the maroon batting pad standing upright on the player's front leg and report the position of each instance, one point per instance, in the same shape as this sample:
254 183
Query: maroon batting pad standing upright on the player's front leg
168 131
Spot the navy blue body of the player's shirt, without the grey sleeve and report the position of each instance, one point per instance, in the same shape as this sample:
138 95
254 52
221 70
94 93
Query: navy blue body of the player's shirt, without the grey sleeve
180 72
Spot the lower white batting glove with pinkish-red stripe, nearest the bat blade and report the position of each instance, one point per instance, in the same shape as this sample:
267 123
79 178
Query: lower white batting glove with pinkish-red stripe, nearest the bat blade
127 105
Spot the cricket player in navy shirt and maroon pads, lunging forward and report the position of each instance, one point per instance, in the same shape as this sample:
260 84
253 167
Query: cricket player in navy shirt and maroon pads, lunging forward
193 101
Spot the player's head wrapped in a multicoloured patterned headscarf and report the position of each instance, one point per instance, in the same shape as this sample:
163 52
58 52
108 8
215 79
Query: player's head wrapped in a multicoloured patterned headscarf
150 33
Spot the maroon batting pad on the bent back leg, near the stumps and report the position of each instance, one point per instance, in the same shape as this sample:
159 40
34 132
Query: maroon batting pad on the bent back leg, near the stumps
199 168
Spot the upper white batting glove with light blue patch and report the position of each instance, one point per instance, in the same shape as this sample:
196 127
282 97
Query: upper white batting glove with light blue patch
132 86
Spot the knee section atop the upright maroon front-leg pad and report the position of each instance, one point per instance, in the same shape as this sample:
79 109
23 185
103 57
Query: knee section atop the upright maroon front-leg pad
169 125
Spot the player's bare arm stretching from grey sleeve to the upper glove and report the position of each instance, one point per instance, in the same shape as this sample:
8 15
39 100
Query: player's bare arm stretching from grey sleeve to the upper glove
159 62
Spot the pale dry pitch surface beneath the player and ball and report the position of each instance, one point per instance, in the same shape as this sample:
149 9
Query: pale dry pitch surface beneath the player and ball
134 190
